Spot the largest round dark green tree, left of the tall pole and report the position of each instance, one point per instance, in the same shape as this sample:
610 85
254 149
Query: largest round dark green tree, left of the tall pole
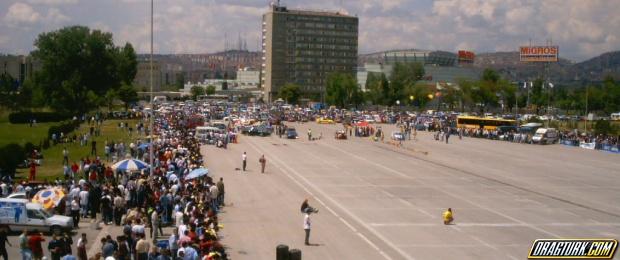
77 66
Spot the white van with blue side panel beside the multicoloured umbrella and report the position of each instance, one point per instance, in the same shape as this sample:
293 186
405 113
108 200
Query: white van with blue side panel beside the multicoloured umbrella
19 214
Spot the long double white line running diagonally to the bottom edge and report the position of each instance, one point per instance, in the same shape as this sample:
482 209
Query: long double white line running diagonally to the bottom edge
373 245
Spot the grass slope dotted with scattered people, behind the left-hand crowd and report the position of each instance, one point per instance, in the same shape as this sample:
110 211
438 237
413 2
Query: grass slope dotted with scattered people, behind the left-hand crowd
52 162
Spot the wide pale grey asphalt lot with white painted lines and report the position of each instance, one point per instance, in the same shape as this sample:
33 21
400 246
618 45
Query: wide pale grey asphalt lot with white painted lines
379 201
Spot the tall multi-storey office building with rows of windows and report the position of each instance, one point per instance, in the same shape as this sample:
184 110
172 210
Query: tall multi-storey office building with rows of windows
303 47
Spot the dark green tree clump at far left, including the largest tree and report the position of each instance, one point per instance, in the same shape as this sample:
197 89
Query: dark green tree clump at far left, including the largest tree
80 70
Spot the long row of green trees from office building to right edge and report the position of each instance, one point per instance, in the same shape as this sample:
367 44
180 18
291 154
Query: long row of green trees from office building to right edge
490 92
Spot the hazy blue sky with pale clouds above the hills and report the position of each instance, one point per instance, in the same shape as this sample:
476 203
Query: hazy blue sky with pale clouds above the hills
582 29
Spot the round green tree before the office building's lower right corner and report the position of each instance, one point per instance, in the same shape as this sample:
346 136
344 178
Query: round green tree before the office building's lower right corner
342 90
